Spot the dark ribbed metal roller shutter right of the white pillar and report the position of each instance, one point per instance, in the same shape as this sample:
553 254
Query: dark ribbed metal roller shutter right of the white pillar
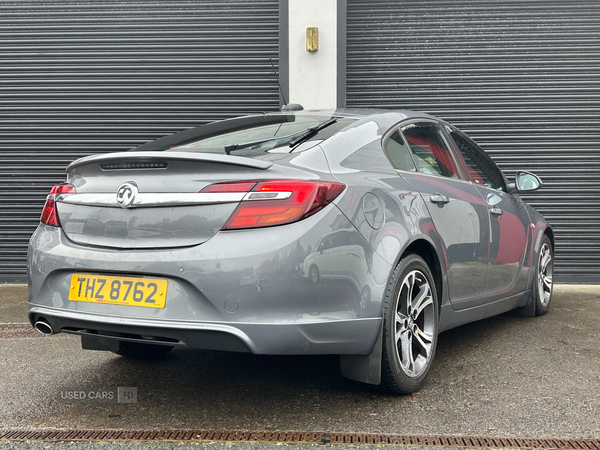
521 77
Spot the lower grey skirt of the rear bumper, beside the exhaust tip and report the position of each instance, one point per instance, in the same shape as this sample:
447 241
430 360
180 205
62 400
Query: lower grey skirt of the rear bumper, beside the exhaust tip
354 336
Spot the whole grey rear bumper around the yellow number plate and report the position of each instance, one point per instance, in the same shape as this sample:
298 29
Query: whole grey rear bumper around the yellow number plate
239 291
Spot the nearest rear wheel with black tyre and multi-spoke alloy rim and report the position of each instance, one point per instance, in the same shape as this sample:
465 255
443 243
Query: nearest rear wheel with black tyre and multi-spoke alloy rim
410 326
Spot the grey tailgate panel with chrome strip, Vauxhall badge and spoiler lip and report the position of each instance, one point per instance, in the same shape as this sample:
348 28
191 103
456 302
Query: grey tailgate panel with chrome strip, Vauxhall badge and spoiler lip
138 200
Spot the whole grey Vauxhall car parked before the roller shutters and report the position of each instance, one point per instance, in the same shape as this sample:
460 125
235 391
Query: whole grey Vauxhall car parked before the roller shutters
359 233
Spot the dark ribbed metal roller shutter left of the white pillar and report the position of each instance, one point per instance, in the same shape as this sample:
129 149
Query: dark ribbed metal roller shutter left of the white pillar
82 77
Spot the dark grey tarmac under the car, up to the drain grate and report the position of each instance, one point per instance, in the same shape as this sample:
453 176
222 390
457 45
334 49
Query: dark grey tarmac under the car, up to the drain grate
504 376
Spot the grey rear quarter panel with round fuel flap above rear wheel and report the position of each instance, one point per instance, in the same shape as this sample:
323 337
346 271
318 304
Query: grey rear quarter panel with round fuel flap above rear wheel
386 210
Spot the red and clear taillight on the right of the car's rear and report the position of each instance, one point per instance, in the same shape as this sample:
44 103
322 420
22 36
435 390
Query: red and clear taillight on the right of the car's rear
277 202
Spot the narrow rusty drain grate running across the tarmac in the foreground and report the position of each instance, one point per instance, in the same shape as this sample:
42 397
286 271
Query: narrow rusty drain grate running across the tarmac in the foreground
297 437
